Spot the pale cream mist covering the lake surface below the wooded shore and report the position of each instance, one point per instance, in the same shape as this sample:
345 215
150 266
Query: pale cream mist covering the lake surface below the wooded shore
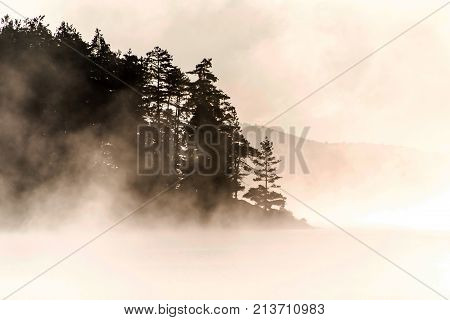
133 263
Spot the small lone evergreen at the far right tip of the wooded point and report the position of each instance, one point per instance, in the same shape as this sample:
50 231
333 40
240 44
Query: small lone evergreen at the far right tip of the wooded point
264 195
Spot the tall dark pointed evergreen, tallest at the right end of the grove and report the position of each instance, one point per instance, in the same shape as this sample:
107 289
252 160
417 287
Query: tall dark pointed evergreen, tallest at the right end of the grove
207 156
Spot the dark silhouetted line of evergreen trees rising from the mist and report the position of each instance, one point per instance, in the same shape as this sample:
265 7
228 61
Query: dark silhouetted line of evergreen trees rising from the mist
58 89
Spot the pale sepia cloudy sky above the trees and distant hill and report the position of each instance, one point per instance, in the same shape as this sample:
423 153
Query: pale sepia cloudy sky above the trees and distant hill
270 54
